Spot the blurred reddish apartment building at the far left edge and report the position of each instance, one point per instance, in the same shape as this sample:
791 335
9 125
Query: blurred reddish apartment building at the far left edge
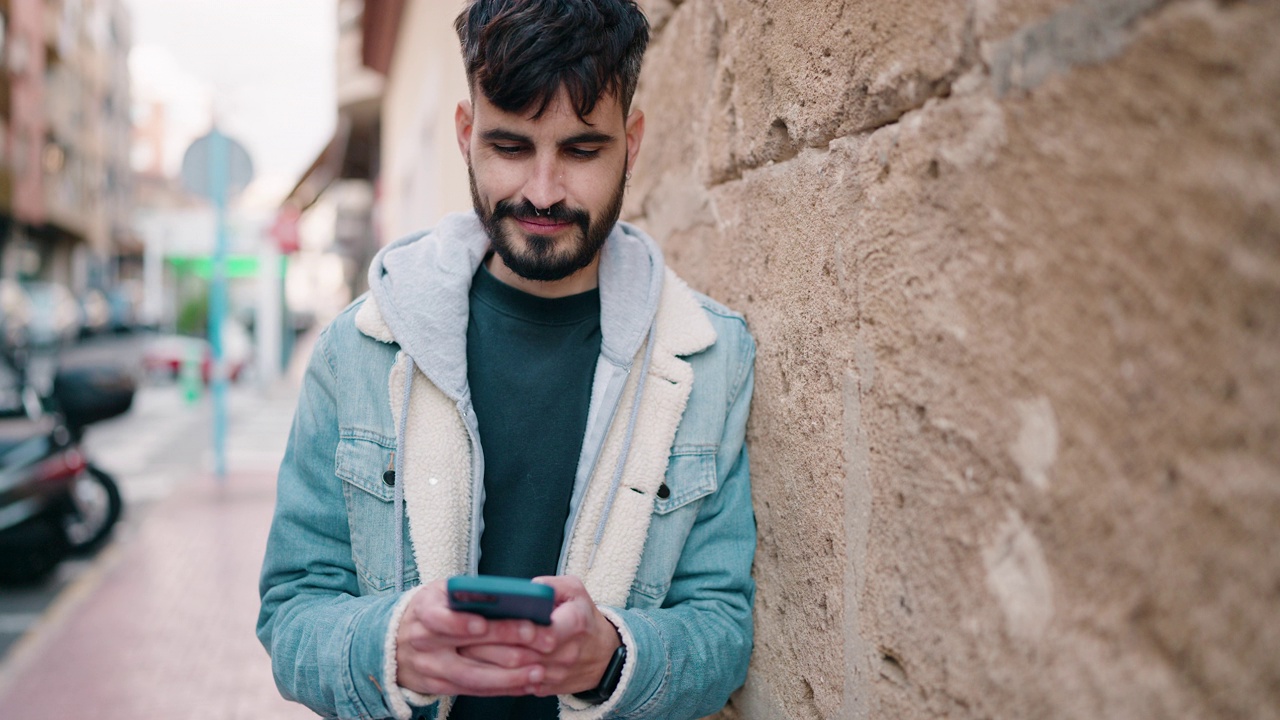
66 183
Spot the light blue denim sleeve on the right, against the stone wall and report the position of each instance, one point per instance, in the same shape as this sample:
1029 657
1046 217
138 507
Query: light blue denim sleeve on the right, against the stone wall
693 653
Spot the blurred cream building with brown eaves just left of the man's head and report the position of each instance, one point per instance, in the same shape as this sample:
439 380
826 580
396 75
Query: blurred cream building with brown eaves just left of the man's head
400 79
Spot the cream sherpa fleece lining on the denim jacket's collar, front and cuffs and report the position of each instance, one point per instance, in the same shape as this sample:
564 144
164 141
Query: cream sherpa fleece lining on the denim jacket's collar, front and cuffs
438 484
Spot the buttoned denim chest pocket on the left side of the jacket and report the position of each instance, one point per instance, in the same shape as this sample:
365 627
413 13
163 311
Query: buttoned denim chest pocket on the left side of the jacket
362 462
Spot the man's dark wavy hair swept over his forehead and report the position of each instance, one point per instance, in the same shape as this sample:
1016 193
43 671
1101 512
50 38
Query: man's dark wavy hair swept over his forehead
520 53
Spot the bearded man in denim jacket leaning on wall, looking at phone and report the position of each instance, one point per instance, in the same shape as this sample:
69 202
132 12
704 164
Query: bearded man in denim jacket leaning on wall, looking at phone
525 391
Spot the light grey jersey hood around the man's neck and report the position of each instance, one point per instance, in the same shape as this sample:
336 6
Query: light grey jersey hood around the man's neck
422 288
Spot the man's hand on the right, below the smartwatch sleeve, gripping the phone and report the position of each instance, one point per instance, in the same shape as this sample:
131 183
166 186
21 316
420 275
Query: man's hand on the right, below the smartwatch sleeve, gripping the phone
573 653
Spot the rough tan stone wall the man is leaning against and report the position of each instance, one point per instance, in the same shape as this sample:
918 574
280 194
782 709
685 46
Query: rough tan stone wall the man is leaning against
1014 270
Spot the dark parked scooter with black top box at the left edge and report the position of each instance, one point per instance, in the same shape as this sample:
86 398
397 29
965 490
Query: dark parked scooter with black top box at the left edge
54 503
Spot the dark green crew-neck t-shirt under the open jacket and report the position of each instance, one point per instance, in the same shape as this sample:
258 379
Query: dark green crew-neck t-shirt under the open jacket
531 364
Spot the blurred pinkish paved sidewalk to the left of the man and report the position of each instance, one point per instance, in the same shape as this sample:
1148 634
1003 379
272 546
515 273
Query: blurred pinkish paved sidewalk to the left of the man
162 627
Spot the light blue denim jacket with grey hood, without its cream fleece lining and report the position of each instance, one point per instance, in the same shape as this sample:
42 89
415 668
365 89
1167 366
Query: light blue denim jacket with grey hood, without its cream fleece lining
330 578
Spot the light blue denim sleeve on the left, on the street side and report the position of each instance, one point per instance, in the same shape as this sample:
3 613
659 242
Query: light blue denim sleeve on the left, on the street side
327 642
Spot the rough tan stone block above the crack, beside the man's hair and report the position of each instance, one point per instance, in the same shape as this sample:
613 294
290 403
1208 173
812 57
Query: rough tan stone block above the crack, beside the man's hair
774 78
